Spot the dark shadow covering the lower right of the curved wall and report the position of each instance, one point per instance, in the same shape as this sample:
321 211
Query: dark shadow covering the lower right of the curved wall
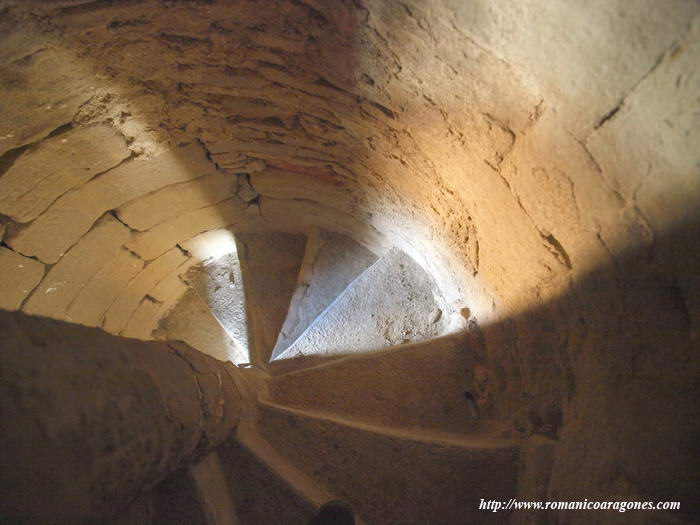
610 372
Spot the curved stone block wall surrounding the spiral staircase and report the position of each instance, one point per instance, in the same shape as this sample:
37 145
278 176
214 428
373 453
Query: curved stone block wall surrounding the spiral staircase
539 159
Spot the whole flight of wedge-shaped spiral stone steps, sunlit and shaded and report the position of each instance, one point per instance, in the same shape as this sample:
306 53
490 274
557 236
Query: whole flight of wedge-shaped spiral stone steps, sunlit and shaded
355 392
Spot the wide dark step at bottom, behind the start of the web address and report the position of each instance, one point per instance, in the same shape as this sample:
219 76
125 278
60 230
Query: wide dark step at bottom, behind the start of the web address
390 476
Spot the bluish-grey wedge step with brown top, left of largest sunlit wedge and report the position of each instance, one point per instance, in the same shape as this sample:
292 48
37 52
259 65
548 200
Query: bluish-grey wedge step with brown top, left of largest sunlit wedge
331 263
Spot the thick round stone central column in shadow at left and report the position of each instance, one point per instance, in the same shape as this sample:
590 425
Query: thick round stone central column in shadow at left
88 421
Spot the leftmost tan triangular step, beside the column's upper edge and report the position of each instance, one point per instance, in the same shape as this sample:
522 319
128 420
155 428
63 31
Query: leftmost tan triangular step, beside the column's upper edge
192 322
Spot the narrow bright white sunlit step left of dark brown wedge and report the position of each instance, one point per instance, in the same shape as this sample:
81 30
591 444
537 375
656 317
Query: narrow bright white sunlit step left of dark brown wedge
219 284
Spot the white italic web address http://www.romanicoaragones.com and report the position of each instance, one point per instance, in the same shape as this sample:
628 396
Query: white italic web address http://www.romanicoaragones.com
620 506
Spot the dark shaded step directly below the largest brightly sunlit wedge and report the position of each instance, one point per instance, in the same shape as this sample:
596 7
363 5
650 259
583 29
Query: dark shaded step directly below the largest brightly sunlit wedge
427 384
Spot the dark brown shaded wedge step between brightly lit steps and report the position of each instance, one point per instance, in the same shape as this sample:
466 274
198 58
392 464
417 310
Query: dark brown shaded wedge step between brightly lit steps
270 264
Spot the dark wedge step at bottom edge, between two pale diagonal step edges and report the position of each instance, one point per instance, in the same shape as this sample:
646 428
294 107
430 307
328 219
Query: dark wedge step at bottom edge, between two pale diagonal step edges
266 489
